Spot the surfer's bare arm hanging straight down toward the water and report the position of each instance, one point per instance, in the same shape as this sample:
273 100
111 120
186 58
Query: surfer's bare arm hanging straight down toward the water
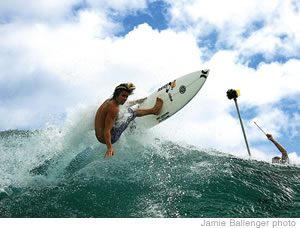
109 122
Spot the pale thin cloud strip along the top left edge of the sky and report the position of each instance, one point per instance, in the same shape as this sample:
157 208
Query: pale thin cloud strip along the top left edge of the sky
58 11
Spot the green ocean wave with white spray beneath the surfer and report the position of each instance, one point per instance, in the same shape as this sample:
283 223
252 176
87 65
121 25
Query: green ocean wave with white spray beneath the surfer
61 173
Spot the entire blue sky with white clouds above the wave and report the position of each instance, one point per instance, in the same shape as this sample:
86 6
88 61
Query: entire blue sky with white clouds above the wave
56 56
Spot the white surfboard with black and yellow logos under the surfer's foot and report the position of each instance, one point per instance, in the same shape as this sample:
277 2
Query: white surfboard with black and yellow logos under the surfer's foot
175 94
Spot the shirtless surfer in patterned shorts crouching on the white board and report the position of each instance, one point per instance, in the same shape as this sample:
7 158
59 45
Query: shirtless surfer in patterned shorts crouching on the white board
108 127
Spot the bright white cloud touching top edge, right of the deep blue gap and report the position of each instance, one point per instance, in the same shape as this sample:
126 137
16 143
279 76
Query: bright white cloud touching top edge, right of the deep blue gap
232 14
